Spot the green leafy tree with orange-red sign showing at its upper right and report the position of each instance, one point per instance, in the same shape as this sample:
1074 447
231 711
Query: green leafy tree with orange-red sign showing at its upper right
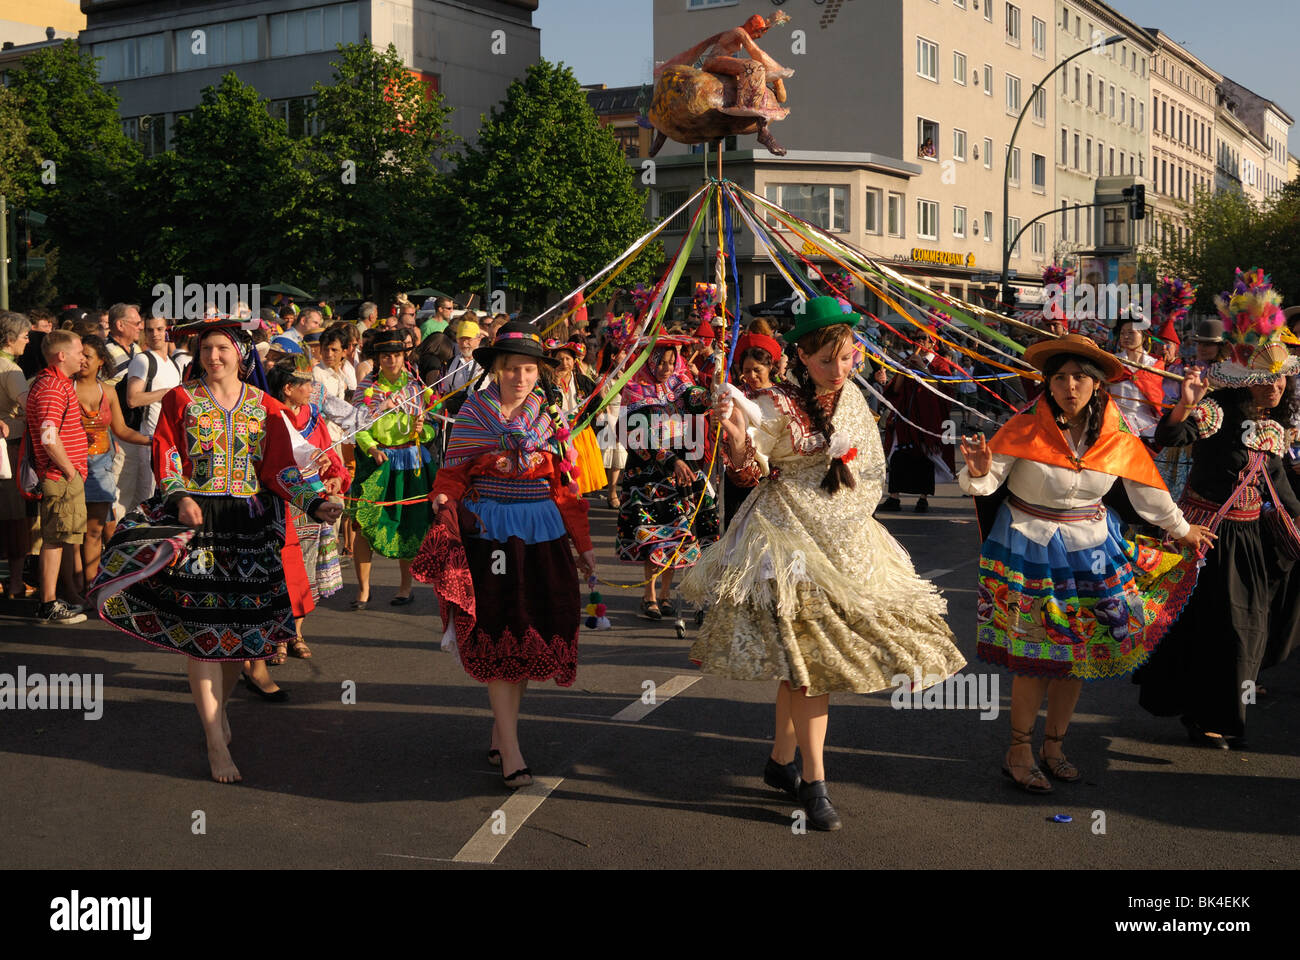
383 136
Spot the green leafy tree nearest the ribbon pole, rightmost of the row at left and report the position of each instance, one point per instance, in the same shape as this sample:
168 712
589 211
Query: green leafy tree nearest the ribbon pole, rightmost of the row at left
547 192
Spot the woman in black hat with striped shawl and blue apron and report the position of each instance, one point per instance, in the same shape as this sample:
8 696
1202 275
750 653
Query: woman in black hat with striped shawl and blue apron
500 555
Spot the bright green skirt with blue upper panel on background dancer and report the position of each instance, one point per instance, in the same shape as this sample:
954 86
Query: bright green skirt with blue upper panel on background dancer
395 529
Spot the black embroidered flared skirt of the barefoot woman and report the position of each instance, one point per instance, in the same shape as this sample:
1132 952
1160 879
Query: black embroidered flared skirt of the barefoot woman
214 594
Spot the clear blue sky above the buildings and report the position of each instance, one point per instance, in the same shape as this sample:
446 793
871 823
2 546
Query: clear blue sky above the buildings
1256 46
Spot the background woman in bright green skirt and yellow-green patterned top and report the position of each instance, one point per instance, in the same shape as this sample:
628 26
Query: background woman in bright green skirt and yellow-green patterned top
393 465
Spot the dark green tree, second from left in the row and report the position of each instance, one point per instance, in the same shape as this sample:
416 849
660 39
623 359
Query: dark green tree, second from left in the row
236 201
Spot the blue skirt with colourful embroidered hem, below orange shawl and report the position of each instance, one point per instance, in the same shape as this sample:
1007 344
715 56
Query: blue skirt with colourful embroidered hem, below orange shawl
1095 613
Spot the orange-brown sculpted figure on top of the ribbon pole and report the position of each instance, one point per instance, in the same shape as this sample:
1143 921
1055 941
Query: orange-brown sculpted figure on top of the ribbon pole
726 96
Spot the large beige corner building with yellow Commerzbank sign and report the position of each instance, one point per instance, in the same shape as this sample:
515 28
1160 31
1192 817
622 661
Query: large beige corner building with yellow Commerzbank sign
902 114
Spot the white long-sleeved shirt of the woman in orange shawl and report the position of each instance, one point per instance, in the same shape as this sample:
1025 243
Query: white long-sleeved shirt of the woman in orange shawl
1063 488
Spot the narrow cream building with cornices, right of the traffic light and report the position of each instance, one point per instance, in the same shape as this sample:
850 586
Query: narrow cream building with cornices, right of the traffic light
1185 94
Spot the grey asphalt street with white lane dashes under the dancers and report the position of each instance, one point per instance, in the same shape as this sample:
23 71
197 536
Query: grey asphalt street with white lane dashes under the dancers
400 777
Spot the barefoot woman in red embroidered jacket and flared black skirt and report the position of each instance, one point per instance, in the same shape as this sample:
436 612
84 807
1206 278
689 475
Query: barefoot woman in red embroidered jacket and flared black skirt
197 569
